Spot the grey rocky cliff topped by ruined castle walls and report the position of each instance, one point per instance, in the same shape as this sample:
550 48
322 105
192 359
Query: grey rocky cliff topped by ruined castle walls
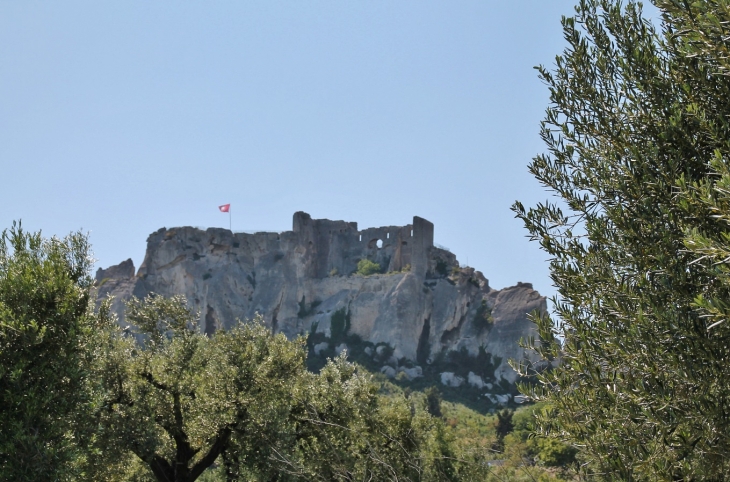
422 304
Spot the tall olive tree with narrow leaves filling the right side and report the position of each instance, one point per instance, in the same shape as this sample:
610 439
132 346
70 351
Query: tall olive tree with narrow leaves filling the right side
638 145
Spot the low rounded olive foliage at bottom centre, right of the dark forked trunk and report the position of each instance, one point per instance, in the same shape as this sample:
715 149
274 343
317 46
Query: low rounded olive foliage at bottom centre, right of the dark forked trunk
344 430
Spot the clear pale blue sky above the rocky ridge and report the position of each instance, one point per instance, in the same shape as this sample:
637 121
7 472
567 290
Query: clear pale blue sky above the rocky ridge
120 118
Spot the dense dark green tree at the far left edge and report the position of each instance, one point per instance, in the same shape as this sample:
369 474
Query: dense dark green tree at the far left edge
46 327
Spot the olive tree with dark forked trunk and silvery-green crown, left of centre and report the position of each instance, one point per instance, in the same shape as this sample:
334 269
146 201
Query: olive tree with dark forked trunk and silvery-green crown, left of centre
174 396
